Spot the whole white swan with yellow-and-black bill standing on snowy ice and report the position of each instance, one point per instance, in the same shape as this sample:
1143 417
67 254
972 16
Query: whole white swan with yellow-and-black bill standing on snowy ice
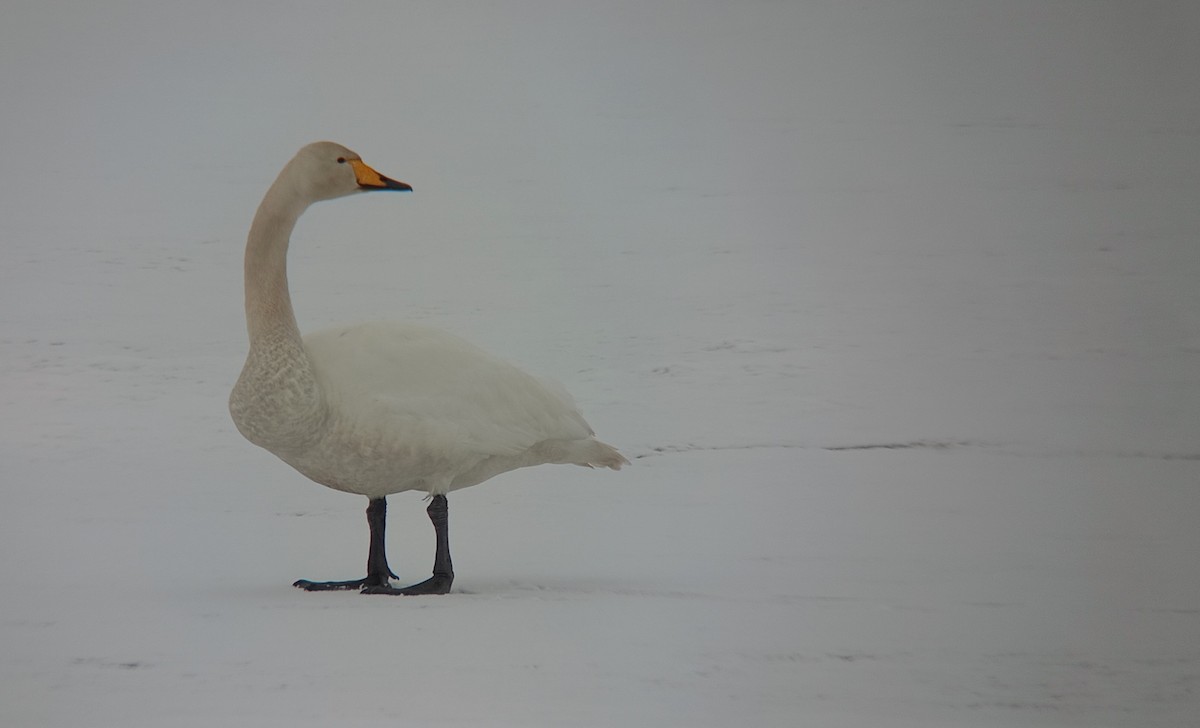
383 408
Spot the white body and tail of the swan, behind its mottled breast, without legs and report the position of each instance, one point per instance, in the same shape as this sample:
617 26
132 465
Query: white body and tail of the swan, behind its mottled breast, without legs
416 408
